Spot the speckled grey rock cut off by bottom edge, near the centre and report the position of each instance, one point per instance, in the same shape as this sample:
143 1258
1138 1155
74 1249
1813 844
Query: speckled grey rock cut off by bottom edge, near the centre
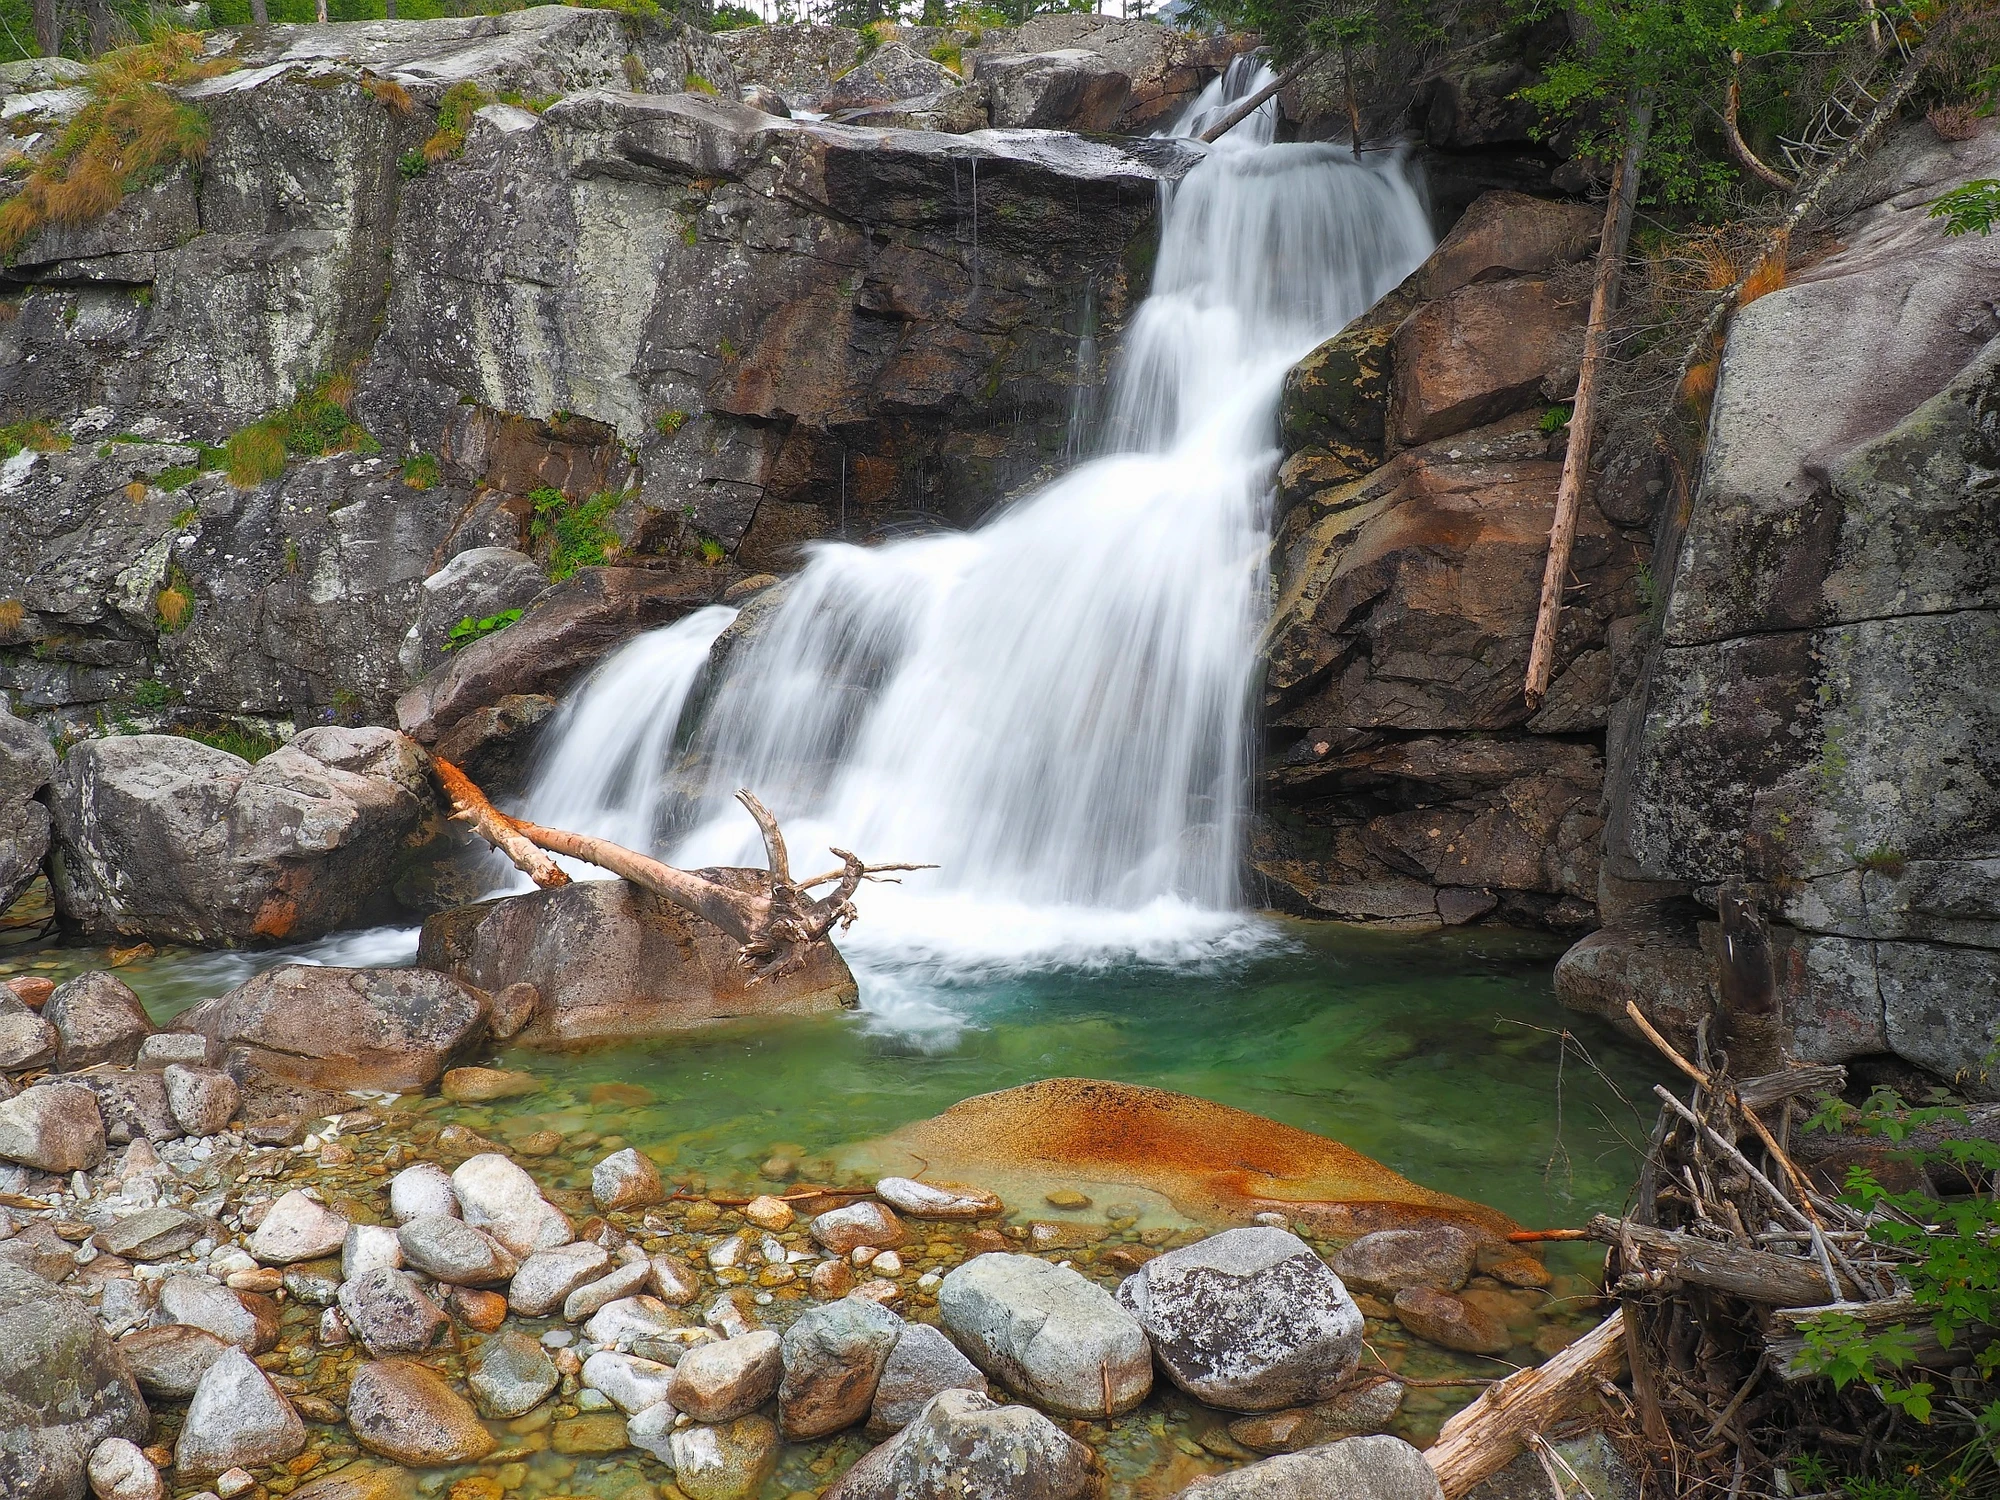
965 1443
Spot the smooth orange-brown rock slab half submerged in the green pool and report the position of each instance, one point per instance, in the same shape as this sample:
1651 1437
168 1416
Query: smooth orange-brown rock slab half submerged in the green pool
1207 1161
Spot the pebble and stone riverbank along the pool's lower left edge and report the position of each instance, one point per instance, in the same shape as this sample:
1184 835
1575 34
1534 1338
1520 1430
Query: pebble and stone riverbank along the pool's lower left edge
281 1289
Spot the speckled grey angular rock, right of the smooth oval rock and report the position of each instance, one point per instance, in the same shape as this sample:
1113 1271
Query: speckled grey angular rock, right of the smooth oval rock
1249 1321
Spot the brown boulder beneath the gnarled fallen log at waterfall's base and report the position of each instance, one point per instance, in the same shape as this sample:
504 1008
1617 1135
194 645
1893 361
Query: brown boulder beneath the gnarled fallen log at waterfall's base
617 963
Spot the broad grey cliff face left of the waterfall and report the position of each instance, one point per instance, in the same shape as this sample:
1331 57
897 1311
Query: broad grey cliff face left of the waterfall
745 331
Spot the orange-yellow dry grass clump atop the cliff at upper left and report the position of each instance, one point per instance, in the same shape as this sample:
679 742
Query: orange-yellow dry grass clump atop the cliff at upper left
129 133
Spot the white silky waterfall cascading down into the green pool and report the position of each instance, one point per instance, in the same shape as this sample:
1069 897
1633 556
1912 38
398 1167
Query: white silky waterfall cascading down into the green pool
1053 707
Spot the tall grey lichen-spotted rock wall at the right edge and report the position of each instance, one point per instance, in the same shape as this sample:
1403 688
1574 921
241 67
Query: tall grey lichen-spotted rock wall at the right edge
1819 711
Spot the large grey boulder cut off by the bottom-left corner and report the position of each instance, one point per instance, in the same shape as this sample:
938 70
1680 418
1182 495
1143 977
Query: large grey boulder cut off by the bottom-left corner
63 1389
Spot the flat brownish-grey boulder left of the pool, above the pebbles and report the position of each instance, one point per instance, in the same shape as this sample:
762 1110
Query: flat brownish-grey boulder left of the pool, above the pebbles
345 1027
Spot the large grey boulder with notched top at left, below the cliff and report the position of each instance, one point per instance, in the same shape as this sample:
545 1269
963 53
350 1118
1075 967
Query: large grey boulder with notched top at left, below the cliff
173 839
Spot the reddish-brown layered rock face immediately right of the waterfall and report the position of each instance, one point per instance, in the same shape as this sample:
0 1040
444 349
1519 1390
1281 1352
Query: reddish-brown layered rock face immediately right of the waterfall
1405 781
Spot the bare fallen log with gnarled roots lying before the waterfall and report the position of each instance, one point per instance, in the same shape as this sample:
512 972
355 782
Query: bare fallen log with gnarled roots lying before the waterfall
775 927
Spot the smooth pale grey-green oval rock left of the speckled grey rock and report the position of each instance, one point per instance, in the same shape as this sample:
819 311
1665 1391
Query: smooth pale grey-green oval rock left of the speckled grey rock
1047 1333
